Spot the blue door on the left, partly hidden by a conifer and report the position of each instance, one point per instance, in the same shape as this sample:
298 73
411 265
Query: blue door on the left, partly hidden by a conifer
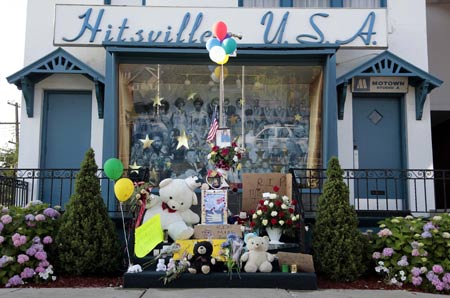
65 139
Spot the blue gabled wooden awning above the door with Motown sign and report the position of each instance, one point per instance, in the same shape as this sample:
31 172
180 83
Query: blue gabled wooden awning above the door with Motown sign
387 64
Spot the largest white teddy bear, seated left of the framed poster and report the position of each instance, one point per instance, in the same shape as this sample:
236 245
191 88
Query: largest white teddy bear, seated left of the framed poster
175 198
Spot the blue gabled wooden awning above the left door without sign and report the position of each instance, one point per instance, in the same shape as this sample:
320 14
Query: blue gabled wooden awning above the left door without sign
58 61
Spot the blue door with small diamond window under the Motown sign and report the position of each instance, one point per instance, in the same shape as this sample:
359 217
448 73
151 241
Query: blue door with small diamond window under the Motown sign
378 147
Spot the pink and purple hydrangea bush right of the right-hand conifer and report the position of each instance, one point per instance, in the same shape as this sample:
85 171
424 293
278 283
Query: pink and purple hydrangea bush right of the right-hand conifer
414 250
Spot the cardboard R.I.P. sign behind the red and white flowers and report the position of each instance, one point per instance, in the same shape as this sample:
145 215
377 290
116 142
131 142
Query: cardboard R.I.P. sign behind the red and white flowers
254 185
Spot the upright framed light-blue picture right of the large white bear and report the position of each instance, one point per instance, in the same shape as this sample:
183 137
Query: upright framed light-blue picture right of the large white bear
214 206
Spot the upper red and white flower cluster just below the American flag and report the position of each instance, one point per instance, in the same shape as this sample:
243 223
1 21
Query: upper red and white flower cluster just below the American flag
226 158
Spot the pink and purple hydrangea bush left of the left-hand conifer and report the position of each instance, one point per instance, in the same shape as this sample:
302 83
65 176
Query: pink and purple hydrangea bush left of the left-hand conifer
25 236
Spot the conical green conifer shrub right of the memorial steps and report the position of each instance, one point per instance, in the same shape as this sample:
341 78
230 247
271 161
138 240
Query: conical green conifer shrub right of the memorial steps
337 244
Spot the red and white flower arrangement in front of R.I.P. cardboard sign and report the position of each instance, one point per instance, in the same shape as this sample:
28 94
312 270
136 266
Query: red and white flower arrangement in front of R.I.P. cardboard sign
276 211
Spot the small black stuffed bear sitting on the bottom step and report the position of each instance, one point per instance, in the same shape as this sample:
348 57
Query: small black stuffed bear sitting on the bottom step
201 260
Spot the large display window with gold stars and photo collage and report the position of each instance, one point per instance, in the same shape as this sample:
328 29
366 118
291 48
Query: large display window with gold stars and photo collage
166 110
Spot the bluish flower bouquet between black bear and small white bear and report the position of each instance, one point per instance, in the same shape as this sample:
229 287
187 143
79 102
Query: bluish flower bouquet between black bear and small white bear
231 251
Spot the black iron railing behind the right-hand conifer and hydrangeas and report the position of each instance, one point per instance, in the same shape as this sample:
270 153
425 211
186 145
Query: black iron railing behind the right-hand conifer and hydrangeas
381 191
